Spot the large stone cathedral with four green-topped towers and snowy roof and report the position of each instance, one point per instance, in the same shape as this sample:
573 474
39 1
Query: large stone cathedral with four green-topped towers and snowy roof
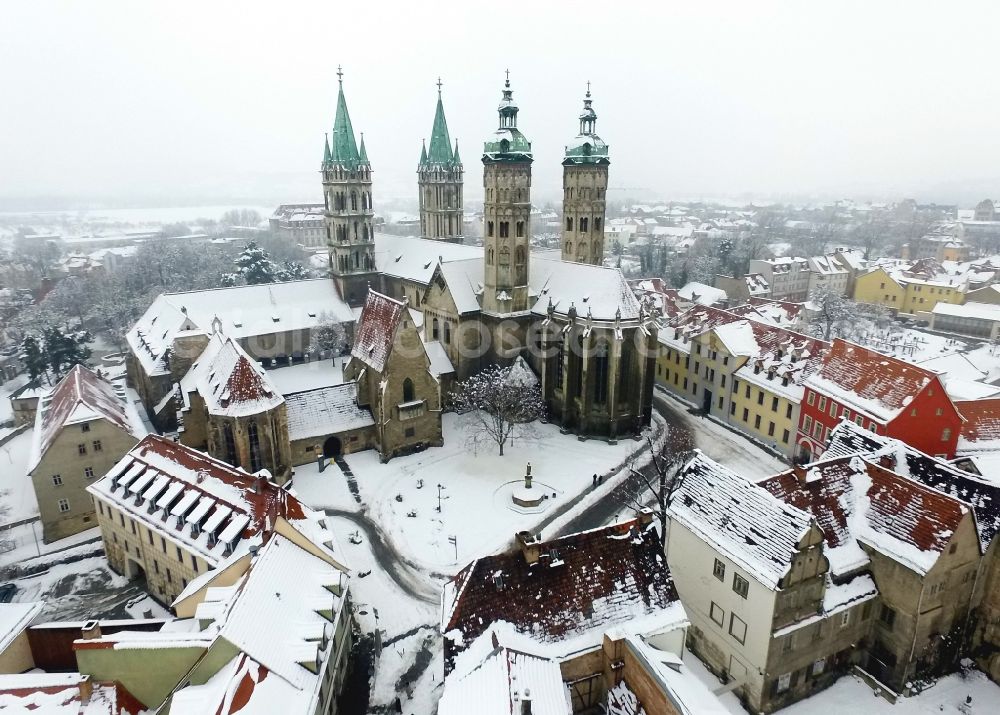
573 320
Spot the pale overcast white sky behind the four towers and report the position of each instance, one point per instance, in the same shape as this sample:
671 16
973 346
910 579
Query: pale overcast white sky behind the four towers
177 100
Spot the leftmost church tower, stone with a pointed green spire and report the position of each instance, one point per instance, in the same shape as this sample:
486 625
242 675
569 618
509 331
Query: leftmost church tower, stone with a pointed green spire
349 215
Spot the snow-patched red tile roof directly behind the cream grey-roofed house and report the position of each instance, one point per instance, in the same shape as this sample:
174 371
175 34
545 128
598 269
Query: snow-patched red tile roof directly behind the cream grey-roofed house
858 502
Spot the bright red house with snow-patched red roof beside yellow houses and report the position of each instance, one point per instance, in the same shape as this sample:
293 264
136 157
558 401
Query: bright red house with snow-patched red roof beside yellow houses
880 393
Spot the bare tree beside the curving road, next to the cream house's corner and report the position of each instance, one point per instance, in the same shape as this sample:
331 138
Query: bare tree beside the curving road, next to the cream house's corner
658 479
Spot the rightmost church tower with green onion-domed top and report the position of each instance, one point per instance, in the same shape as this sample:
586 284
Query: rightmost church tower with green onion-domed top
585 183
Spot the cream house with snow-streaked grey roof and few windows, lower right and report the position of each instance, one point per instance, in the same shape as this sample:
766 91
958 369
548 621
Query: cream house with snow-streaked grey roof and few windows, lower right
752 573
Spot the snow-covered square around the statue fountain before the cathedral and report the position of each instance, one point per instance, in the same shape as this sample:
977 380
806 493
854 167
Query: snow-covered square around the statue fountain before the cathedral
475 507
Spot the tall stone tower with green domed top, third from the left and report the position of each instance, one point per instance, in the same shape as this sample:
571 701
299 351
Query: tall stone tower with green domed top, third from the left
506 212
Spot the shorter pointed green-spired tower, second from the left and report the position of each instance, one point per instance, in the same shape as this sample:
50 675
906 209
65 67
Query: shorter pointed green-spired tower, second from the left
439 179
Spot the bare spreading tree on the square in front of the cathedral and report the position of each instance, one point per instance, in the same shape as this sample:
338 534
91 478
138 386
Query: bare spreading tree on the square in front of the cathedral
499 399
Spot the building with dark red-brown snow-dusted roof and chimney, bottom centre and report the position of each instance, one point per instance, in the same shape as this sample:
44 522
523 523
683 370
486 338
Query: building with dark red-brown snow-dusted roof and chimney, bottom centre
564 596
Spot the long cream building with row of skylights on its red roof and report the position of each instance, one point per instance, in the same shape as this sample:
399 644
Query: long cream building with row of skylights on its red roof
169 513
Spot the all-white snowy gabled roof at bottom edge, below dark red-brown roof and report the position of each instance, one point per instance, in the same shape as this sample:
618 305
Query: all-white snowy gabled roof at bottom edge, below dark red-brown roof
490 678
